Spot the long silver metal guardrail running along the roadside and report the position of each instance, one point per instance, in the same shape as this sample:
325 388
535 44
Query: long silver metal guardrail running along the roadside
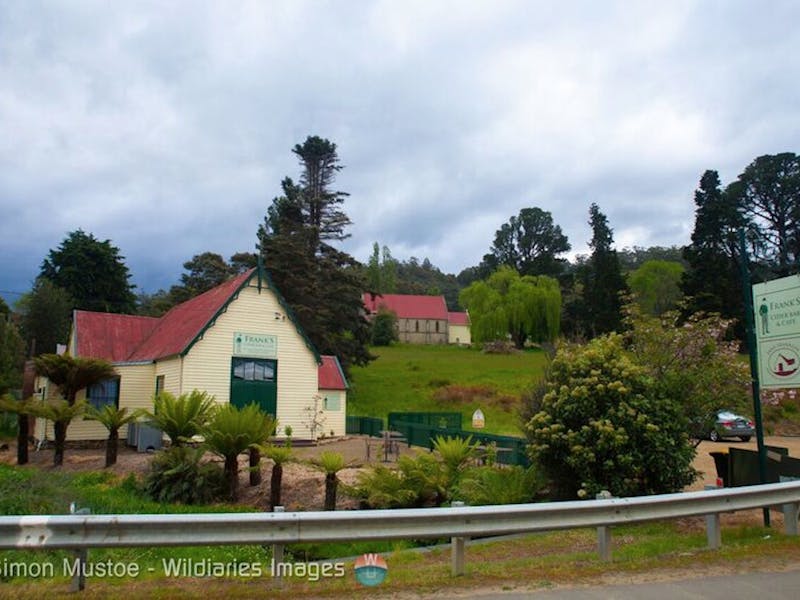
78 532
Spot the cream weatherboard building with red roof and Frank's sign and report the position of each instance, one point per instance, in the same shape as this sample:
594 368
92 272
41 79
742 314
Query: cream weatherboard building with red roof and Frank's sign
238 342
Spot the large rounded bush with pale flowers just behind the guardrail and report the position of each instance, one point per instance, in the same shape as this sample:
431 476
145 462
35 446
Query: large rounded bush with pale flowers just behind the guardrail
603 426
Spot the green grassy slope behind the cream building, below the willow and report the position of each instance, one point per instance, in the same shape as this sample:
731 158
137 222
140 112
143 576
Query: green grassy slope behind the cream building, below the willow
415 378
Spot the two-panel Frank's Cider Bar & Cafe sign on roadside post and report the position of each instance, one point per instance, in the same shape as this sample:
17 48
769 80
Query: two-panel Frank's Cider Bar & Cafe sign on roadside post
776 305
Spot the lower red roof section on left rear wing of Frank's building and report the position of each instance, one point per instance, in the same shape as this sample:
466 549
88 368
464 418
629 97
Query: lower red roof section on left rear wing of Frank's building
109 336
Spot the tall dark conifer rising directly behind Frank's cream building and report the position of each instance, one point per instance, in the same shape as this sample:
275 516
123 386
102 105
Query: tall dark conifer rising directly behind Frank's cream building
322 285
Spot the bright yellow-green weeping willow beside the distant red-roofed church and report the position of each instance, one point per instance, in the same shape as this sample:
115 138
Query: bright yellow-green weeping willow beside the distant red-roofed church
524 308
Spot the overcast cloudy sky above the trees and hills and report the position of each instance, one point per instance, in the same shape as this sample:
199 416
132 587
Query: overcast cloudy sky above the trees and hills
168 126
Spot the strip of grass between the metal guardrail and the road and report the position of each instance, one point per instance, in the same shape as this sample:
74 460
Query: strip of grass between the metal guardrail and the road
523 564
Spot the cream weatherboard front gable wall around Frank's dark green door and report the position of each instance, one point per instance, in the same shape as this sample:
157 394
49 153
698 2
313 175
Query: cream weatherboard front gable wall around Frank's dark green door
207 365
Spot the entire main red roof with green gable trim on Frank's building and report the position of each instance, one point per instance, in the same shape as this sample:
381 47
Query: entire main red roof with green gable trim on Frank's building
129 338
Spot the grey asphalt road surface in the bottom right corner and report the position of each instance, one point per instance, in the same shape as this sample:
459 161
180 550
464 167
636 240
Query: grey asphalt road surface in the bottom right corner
767 586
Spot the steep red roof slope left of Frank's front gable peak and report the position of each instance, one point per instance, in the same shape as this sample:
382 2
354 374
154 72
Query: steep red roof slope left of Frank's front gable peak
184 322
